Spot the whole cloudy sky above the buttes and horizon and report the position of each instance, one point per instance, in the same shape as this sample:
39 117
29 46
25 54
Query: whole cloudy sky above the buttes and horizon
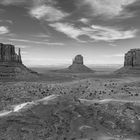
53 32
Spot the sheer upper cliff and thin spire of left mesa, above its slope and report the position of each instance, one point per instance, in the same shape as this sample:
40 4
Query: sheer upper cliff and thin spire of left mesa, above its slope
8 54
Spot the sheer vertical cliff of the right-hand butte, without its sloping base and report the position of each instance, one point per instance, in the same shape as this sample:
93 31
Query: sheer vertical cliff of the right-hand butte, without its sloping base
132 58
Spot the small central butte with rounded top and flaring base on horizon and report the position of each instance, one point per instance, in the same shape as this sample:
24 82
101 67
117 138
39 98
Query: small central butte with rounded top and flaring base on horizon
77 66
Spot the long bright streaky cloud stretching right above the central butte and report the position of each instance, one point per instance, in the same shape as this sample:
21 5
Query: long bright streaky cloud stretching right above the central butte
94 32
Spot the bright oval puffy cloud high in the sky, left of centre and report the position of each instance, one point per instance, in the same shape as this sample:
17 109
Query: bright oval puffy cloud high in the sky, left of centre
48 13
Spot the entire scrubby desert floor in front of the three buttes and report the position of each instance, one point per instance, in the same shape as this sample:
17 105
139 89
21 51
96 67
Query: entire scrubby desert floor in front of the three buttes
77 107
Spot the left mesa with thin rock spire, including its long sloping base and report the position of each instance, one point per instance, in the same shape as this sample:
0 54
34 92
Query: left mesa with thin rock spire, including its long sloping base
11 66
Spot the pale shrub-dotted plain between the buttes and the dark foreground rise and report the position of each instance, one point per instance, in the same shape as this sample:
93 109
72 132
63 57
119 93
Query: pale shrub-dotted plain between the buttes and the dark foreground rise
19 92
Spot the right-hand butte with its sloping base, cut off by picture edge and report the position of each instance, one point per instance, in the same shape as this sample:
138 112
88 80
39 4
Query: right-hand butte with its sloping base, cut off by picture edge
131 62
